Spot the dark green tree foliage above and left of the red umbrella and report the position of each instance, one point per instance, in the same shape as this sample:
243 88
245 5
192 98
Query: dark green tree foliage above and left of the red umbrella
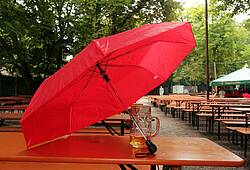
34 34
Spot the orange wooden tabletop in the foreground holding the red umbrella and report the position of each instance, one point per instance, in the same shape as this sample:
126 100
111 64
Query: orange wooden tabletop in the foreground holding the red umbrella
81 149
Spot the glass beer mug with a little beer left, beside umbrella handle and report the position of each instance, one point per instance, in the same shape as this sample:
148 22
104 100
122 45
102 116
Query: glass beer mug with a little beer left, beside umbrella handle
145 120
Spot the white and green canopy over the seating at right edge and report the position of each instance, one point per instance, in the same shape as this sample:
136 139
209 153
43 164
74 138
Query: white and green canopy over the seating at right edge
241 76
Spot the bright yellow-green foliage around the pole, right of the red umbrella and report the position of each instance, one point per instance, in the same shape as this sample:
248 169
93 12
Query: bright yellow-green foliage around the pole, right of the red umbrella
228 45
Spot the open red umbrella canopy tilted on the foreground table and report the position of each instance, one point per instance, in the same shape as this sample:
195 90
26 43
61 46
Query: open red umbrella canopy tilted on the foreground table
105 78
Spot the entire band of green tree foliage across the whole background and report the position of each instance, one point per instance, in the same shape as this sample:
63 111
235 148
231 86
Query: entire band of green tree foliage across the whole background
36 36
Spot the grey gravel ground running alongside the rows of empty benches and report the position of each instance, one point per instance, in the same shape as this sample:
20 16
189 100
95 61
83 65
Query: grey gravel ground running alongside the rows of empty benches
177 127
